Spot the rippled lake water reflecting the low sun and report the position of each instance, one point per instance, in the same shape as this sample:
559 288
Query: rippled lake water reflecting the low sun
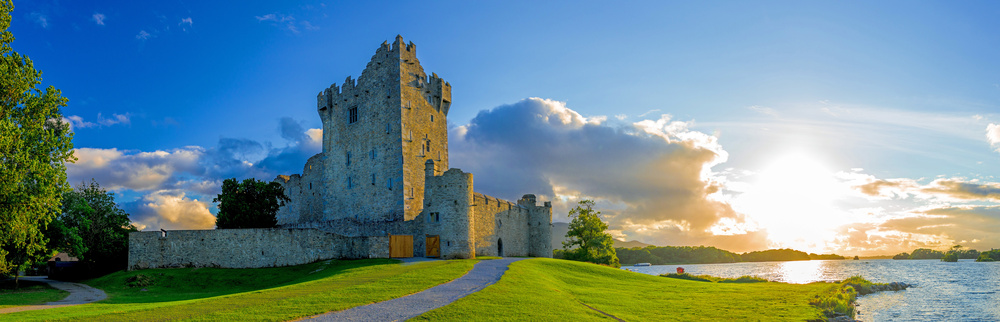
963 291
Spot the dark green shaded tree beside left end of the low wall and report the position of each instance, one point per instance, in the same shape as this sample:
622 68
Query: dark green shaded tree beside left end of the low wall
93 228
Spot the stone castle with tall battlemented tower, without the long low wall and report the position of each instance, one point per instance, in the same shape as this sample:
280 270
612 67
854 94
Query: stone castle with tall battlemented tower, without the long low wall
382 170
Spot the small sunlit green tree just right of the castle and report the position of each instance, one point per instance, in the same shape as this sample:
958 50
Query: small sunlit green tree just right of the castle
587 233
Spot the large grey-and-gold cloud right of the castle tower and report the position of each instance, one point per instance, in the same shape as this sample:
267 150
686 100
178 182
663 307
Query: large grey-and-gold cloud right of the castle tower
653 176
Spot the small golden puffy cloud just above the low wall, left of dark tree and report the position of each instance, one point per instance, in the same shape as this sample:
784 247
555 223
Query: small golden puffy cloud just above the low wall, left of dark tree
168 209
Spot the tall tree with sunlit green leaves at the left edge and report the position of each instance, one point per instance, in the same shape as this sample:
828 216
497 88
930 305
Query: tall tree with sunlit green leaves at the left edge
34 145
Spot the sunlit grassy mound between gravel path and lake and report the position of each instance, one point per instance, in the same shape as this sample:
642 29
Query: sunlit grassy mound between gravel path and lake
551 289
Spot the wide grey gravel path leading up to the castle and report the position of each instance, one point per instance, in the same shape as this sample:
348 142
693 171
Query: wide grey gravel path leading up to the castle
483 274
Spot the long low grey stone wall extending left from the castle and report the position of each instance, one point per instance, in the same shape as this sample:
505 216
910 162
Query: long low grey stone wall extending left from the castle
247 248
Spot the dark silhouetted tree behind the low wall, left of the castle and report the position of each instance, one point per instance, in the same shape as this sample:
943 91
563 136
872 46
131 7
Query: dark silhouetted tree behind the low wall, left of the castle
249 204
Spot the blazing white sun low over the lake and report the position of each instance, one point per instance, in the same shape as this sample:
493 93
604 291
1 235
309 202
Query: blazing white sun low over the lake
793 199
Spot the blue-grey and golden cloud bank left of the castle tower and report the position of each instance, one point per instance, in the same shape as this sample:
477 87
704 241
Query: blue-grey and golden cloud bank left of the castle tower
171 182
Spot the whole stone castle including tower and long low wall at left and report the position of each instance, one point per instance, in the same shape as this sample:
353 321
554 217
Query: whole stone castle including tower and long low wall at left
381 187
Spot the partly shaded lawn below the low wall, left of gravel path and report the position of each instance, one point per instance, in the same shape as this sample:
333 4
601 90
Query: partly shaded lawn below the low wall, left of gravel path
276 294
